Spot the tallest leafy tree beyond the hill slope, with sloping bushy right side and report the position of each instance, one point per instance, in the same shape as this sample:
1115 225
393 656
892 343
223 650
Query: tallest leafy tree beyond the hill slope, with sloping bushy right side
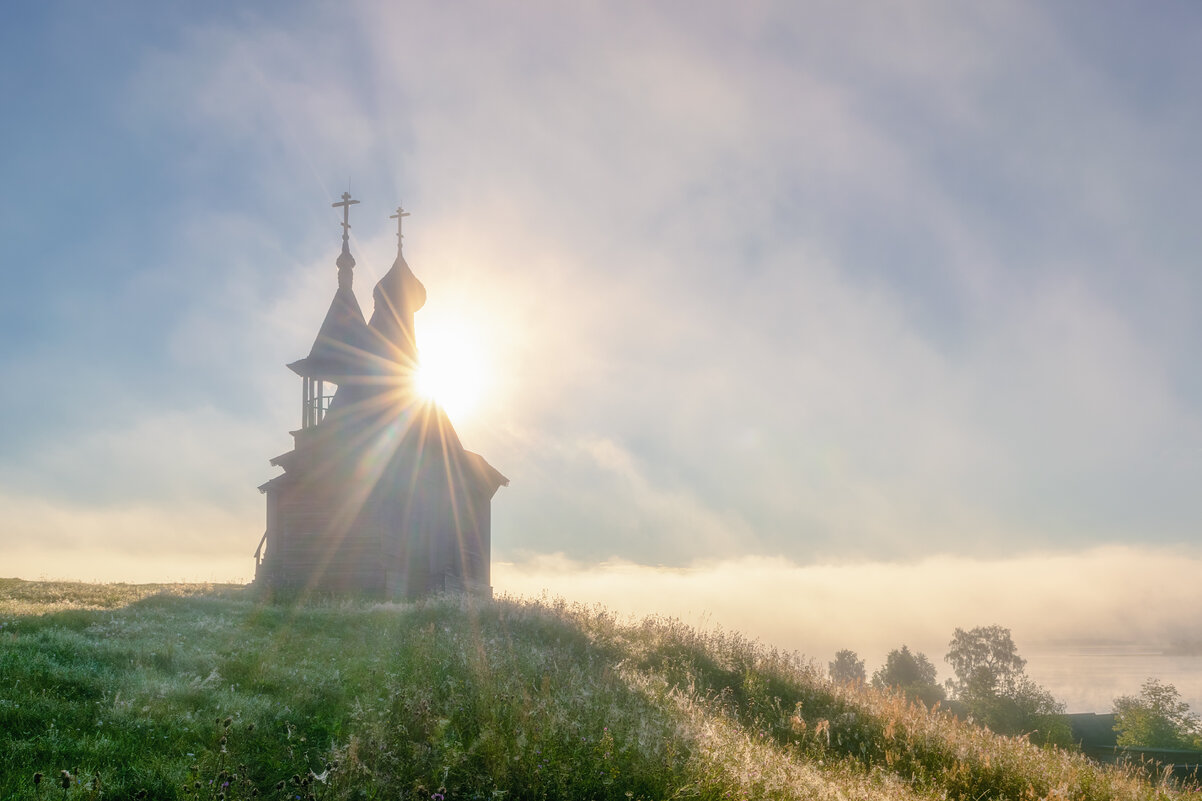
992 686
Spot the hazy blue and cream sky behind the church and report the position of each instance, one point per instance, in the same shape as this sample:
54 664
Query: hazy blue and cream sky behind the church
777 298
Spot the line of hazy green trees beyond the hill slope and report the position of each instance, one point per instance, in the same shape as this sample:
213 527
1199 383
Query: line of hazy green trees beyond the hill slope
991 687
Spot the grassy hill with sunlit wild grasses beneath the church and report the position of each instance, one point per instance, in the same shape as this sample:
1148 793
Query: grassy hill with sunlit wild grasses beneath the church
189 692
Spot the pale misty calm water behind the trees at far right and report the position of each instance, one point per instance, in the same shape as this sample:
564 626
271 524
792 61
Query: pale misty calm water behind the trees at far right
1088 679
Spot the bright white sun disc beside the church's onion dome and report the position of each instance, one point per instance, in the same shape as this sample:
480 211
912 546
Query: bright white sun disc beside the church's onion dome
454 369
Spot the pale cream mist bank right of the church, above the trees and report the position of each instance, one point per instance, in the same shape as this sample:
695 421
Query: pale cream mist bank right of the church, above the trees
1092 625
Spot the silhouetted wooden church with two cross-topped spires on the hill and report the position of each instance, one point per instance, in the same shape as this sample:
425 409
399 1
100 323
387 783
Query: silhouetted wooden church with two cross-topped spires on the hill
378 495
